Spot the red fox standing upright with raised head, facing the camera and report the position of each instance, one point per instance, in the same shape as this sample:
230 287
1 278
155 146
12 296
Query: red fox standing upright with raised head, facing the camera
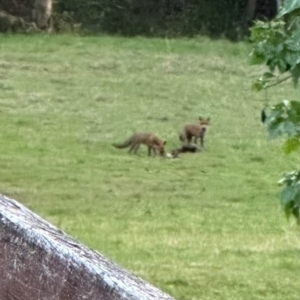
195 130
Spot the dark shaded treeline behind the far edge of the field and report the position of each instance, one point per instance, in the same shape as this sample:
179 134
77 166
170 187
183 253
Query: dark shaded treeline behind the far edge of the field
227 18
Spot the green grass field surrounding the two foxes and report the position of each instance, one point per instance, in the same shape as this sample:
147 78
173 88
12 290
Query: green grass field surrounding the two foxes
205 226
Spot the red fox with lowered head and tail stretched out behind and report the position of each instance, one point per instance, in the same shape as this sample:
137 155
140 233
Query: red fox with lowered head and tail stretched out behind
147 138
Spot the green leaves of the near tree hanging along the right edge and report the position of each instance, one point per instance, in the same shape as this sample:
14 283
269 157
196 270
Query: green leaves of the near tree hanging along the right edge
277 45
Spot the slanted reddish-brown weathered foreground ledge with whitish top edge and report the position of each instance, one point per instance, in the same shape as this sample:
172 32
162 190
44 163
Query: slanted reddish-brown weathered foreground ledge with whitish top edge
40 262
